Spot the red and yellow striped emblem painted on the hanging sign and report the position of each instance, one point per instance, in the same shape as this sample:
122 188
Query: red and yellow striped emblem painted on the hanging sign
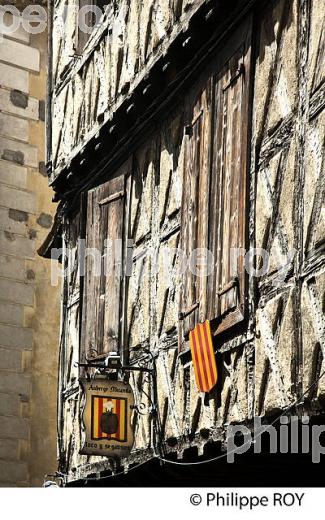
117 409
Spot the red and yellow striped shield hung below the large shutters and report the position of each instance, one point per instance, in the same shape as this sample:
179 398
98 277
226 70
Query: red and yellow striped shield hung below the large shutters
204 361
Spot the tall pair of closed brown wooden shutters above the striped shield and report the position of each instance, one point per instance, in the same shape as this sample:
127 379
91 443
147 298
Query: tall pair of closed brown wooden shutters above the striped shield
214 206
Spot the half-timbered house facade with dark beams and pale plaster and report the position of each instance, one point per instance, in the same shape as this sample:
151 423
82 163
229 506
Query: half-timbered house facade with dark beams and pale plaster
180 126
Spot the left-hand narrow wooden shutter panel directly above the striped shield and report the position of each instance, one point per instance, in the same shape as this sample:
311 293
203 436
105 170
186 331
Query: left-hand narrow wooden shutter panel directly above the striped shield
195 202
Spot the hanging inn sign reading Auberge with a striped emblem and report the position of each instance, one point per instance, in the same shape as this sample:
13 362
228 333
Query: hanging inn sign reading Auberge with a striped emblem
107 418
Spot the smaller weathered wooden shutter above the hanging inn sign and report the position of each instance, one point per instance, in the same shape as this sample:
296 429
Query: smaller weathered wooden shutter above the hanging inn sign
102 316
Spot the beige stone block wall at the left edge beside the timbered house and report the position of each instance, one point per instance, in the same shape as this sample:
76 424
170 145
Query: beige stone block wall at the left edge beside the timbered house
29 306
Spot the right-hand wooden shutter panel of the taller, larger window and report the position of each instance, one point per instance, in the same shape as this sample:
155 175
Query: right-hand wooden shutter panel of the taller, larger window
229 173
